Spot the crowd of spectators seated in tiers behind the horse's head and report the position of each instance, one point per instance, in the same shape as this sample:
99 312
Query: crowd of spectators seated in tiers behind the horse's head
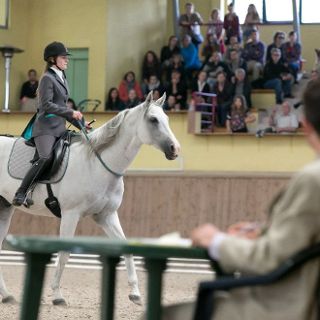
228 61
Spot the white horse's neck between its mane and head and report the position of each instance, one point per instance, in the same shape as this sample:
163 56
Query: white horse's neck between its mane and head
120 154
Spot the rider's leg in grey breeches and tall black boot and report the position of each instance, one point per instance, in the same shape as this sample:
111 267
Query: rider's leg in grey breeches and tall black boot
44 145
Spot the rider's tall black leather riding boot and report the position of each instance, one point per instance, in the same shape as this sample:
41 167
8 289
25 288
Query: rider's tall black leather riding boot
34 172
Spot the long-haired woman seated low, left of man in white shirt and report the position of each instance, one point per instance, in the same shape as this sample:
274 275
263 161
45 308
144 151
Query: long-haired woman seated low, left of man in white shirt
239 117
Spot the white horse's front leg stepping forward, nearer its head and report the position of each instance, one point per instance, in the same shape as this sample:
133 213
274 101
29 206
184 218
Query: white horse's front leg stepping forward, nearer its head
111 225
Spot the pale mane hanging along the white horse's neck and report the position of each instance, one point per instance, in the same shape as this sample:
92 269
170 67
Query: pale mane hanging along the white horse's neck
104 136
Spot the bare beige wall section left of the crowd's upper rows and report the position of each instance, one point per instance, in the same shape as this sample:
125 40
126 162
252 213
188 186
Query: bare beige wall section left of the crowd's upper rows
133 28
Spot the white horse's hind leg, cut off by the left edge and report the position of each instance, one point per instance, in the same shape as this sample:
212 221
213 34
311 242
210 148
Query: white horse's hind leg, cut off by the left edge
6 212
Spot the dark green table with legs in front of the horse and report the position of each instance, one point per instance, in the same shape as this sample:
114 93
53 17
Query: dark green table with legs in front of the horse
38 252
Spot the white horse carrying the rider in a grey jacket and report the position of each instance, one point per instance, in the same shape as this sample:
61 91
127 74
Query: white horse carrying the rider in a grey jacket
88 188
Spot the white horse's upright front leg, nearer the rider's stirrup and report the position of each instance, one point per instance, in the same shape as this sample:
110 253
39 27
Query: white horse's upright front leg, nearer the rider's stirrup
68 227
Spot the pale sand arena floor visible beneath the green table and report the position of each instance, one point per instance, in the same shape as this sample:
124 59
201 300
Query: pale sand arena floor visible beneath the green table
81 289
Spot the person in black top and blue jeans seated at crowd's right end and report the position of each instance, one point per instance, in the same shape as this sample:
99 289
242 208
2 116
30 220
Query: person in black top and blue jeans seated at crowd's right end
277 76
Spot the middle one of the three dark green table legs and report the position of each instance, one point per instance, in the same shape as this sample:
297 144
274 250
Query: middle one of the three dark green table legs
108 286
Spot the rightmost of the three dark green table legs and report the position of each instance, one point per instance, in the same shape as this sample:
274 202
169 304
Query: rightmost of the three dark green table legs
155 269
